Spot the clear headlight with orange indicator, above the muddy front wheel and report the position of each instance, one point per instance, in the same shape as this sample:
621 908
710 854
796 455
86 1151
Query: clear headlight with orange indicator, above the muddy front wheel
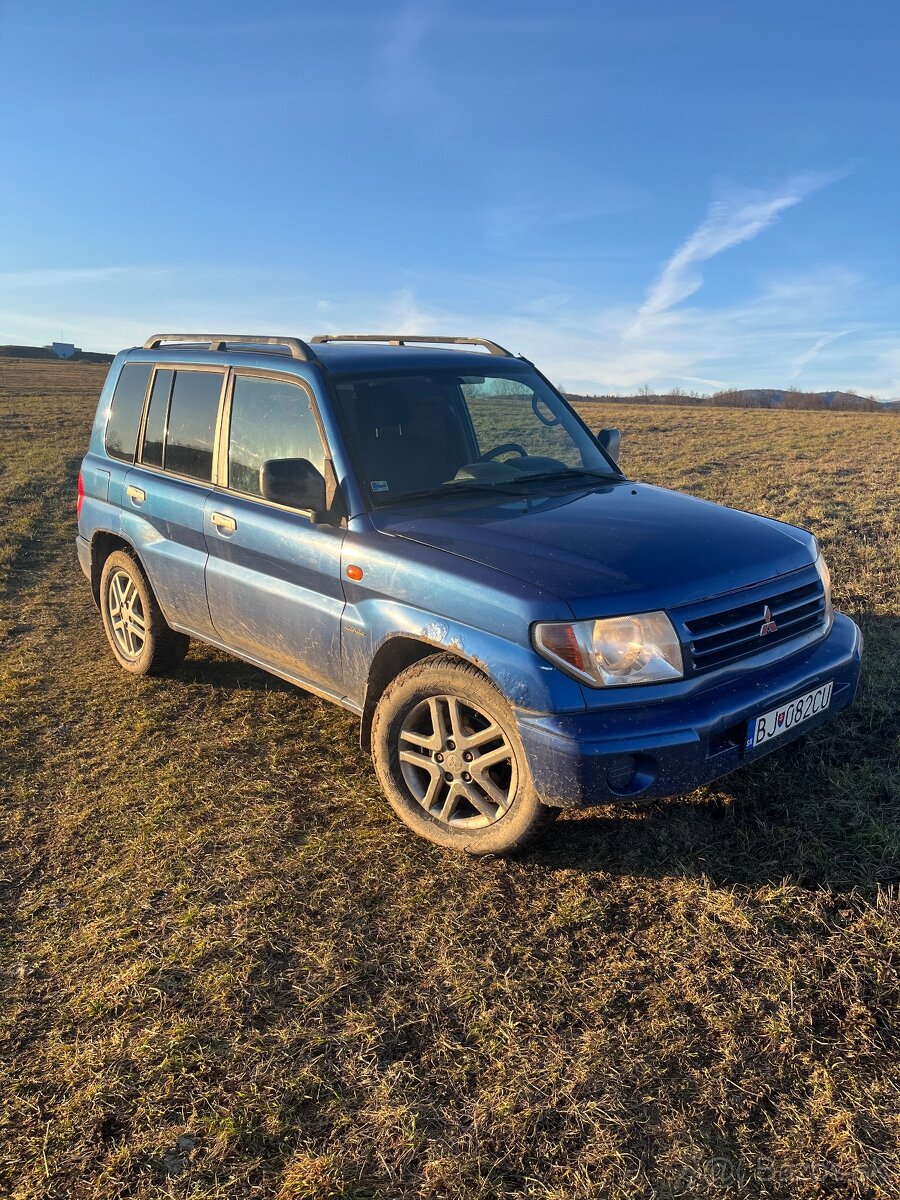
614 652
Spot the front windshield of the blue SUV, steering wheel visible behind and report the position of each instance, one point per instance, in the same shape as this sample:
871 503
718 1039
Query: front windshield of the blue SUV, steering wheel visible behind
430 434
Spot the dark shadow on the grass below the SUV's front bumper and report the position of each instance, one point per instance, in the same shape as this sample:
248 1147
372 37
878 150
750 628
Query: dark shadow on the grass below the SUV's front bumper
776 823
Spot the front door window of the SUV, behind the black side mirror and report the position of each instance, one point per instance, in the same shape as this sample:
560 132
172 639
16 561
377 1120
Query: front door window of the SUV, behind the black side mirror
271 419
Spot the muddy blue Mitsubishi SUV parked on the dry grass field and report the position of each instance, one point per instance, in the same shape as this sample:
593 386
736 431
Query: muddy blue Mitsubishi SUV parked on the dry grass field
424 532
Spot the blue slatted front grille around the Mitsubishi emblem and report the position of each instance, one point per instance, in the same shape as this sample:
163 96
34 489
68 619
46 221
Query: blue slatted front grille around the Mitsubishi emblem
734 633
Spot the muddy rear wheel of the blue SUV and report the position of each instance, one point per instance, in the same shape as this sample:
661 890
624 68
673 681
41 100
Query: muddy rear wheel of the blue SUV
136 629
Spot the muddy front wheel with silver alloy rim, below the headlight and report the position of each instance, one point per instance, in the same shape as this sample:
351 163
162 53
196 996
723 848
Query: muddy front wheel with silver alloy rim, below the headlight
451 760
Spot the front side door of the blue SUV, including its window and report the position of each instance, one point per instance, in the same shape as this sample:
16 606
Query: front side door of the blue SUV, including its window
273 577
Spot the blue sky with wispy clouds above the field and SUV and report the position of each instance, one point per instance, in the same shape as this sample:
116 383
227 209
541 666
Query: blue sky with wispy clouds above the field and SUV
695 195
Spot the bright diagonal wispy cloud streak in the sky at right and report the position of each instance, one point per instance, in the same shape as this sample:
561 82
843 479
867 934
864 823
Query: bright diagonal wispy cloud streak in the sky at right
730 221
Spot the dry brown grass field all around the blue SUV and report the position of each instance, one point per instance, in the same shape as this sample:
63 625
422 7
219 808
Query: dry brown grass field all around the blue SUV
229 973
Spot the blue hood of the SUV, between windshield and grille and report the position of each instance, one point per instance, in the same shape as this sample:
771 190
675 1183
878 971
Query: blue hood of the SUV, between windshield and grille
620 548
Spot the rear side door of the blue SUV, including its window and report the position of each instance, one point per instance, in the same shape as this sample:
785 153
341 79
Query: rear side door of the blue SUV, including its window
165 494
